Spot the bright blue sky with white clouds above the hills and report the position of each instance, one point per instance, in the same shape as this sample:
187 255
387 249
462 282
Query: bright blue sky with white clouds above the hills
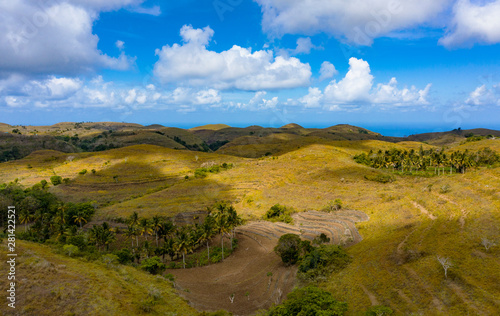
397 67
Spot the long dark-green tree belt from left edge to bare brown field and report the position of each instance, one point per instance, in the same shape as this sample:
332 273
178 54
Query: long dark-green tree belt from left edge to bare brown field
48 219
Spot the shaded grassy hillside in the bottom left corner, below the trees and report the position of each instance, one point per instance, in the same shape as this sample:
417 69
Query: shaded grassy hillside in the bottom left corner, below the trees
52 284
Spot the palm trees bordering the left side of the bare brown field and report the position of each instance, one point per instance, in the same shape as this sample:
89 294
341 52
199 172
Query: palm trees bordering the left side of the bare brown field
176 241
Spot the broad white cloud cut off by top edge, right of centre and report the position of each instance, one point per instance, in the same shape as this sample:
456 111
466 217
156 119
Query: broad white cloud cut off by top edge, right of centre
358 21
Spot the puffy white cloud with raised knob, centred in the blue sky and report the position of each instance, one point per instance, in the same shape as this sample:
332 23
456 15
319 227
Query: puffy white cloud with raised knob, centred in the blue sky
240 68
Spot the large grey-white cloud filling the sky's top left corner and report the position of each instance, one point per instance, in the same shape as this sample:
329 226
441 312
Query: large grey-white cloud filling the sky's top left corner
54 37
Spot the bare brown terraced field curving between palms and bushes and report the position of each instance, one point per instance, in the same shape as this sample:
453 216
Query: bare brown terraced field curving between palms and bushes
245 277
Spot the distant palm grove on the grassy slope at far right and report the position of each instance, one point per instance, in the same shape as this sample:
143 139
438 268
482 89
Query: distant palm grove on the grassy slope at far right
404 160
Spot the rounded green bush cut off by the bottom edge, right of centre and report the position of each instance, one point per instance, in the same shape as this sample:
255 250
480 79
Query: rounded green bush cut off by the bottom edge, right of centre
309 301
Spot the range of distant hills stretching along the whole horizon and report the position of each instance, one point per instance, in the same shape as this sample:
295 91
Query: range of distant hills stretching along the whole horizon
252 141
